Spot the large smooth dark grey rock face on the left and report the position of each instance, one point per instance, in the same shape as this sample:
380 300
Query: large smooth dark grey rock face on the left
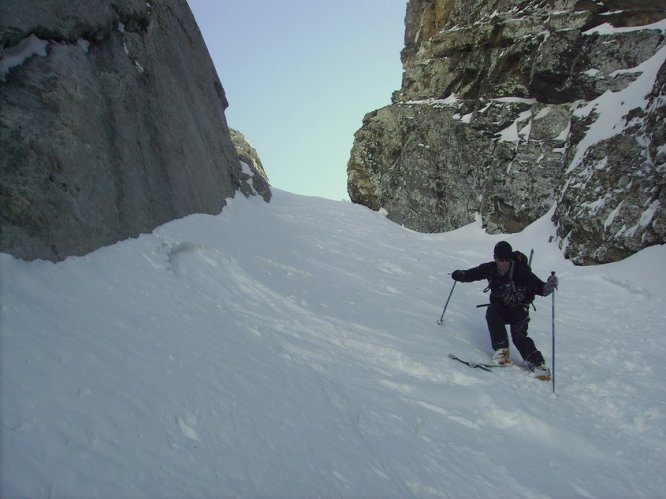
111 123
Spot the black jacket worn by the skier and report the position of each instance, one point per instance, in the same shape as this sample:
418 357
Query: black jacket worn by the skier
525 284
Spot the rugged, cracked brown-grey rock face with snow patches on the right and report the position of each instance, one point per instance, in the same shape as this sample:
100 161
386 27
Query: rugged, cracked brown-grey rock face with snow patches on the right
508 108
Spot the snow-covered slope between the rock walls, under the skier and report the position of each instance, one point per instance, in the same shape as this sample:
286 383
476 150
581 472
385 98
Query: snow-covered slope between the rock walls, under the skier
291 349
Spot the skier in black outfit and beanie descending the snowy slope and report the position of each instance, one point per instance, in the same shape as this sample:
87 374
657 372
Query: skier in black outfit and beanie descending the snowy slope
512 288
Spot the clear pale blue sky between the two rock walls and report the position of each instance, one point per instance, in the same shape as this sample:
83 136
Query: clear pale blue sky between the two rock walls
300 75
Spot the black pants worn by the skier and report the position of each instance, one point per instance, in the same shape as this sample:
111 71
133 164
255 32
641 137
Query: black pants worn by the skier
518 319
